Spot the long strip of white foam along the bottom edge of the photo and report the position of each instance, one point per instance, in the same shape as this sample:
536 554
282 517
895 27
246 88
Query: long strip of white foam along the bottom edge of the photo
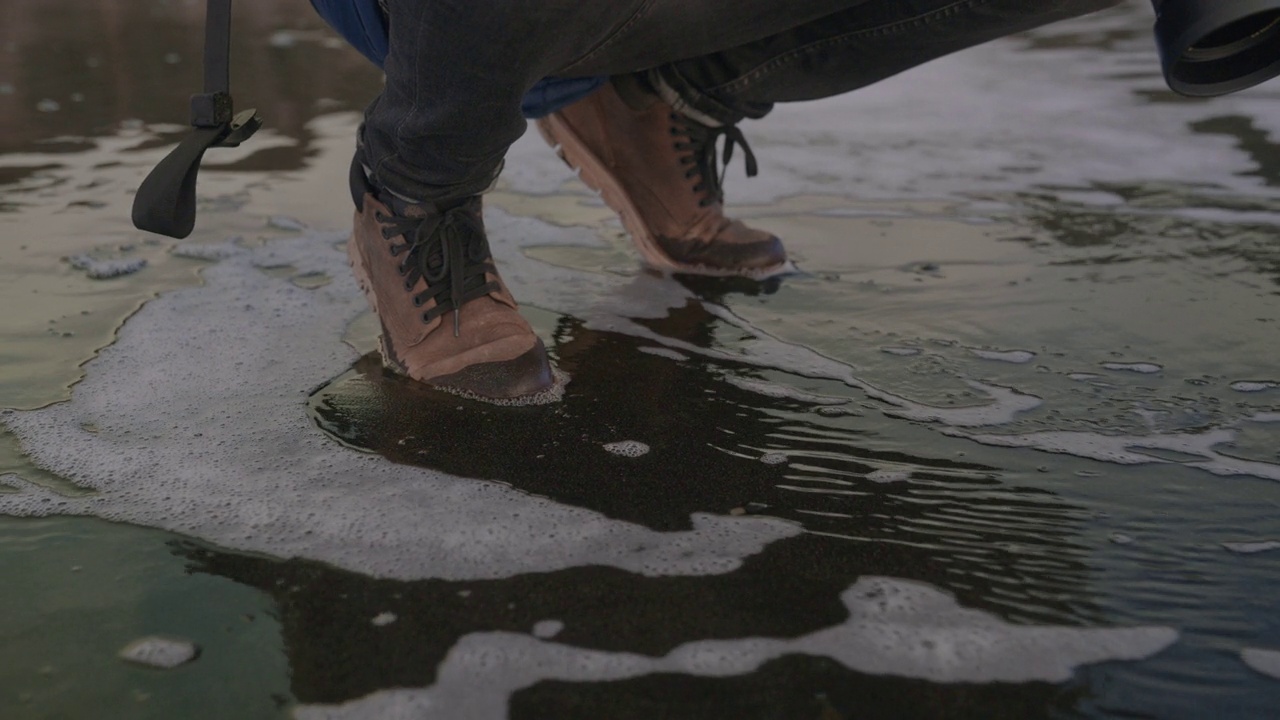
894 628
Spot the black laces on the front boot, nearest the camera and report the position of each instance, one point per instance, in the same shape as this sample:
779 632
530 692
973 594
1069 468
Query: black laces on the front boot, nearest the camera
451 252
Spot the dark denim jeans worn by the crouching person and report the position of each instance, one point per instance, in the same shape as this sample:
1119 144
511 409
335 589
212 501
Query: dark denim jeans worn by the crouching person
459 69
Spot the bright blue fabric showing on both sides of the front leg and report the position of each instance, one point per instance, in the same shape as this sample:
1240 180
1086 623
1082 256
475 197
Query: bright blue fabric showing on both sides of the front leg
362 24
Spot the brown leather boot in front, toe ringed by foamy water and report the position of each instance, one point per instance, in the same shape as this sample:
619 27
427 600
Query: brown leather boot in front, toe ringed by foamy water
447 317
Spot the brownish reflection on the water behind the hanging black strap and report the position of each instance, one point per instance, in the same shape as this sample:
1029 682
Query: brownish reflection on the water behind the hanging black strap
83 67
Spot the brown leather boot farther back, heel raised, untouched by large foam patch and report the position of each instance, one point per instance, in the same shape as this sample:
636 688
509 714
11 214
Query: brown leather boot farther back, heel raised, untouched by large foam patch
657 170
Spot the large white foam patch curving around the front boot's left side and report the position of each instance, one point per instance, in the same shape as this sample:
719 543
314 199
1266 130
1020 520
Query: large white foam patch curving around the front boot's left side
207 435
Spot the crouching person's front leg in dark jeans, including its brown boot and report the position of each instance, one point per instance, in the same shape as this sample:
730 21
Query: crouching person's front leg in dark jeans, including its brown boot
431 145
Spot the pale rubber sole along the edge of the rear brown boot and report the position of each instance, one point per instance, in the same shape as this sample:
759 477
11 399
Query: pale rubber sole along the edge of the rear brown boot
574 152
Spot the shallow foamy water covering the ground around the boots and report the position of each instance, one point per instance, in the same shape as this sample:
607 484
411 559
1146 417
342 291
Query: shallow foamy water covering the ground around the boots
1005 448
